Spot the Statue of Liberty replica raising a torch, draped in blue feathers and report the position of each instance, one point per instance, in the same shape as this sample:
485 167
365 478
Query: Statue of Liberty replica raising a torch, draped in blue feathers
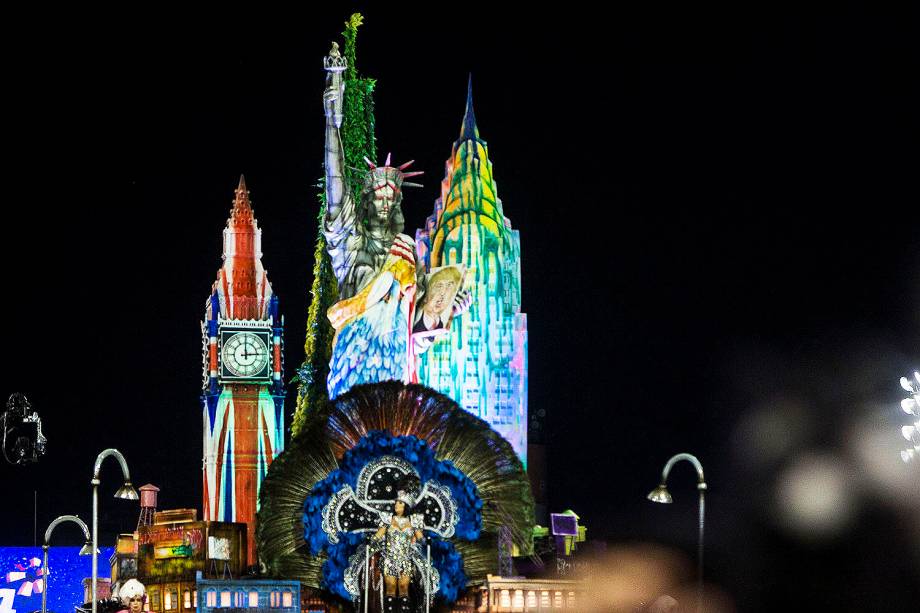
373 261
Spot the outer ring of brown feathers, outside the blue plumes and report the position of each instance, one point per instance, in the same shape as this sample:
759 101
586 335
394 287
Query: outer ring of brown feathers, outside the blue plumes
454 434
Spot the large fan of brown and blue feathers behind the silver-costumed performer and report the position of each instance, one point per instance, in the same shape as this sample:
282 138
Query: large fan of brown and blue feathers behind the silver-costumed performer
336 445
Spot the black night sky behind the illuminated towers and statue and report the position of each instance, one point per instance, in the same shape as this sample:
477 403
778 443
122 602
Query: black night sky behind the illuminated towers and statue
719 235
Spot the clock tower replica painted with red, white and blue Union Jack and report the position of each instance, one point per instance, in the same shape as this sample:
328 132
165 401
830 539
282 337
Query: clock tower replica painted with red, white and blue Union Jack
243 393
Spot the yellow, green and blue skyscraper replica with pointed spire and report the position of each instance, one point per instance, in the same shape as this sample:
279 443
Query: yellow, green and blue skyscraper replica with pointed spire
483 363
